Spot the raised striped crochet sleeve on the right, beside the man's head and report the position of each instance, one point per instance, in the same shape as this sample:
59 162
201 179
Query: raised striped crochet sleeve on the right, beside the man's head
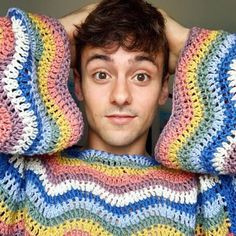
201 133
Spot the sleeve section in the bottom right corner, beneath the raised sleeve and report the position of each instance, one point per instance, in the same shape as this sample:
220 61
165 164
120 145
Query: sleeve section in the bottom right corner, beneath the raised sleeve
216 212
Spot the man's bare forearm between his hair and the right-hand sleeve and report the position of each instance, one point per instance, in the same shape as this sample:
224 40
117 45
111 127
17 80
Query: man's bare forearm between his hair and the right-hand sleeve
176 35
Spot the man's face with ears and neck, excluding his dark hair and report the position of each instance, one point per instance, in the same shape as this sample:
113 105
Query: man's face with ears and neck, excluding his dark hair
121 92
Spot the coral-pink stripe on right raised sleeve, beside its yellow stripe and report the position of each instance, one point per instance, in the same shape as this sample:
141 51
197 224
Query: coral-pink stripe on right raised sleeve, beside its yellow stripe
178 123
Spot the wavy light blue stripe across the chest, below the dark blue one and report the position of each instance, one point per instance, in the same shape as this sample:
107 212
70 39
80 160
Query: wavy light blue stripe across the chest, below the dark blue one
50 211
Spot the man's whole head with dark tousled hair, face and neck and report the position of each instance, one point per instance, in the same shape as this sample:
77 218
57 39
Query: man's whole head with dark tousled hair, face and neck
123 74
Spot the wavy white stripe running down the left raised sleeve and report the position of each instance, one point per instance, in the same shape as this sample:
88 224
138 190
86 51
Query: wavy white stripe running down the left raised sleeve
28 118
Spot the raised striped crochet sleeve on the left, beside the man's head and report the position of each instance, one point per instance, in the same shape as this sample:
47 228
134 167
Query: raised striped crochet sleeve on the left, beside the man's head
37 112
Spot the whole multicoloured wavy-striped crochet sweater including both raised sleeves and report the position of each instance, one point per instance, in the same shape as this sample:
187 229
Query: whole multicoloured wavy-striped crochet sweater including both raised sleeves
48 187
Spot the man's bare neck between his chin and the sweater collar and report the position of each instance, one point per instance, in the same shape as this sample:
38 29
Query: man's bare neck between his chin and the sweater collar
138 147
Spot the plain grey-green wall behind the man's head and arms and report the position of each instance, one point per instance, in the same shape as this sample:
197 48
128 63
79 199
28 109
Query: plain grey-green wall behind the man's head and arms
213 14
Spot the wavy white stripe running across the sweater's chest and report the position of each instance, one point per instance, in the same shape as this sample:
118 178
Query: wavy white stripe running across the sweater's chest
111 198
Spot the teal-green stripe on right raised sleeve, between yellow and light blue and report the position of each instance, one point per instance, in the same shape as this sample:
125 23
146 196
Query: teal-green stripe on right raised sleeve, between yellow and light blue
185 155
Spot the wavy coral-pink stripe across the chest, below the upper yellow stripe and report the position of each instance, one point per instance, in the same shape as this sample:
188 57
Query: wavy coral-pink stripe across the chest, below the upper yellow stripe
175 179
